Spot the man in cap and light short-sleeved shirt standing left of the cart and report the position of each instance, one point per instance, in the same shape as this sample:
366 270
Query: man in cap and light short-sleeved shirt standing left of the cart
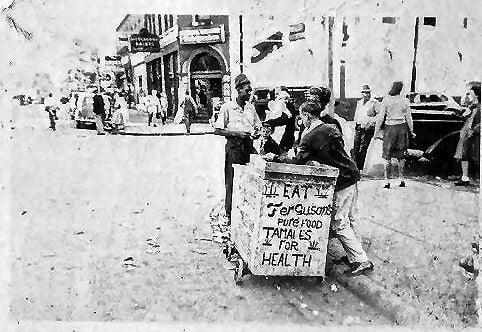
239 123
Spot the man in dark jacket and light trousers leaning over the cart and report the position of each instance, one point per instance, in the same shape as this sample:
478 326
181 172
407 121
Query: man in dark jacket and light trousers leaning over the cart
322 143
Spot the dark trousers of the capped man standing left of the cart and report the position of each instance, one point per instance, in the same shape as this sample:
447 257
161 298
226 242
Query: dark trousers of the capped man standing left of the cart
237 151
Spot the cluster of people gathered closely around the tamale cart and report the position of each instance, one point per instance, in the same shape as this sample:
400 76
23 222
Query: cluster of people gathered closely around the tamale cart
321 142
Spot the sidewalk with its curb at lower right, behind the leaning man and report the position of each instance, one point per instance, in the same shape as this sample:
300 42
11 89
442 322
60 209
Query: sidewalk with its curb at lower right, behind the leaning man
415 236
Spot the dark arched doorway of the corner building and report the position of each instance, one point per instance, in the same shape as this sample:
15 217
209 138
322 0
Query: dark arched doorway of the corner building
206 83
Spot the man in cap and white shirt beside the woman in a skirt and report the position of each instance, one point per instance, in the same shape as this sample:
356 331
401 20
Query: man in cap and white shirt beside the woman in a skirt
365 118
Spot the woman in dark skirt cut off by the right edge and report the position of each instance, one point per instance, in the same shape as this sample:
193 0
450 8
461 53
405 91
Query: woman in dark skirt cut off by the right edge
468 147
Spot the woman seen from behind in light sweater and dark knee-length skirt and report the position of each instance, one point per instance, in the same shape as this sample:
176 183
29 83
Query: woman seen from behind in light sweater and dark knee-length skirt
396 117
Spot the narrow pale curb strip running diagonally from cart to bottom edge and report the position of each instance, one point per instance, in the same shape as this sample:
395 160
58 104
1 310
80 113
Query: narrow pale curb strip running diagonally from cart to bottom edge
388 304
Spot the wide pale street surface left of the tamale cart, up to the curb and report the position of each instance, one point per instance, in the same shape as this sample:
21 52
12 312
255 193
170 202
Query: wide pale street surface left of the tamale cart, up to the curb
116 228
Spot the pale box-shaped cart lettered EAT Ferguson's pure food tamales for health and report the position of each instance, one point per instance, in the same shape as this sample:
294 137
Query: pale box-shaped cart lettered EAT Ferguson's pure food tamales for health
281 216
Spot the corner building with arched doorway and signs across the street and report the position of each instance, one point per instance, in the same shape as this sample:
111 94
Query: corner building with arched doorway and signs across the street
192 54
